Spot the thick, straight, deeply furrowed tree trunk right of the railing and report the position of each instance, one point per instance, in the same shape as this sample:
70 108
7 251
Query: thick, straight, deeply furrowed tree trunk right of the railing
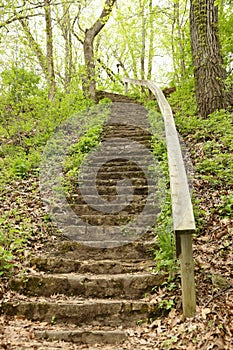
207 60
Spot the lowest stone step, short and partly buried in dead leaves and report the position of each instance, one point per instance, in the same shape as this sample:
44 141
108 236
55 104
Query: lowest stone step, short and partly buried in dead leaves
84 336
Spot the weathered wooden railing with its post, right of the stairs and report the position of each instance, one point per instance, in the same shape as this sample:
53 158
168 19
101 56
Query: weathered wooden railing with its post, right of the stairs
182 210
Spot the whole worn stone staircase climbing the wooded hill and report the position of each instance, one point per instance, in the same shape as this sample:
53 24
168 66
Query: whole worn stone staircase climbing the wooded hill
91 287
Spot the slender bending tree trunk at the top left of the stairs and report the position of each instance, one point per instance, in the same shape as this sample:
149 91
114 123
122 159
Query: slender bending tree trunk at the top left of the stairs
89 83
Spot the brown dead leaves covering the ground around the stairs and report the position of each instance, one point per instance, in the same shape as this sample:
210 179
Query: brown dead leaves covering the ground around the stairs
210 328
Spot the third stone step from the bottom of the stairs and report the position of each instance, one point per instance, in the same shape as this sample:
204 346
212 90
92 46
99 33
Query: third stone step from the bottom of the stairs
126 286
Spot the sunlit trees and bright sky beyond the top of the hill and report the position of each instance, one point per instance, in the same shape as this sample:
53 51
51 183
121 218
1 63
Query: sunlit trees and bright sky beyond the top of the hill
84 44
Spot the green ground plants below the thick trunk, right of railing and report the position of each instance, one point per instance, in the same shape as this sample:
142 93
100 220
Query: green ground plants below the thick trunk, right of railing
214 135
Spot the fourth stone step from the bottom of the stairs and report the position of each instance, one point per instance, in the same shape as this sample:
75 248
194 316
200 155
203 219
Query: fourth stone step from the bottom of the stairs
60 265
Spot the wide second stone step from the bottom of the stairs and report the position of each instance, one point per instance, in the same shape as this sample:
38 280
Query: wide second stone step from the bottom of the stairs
113 313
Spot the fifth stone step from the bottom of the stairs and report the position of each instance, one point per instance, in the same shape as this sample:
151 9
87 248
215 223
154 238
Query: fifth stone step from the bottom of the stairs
79 251
